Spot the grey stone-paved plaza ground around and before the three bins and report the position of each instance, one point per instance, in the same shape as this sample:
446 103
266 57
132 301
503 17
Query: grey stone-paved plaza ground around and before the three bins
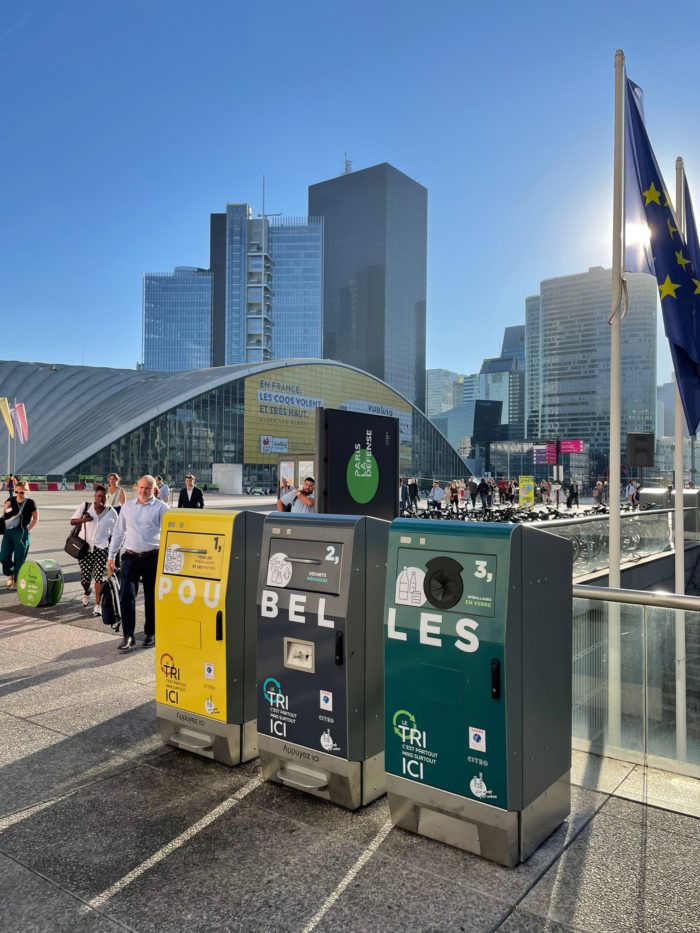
102 828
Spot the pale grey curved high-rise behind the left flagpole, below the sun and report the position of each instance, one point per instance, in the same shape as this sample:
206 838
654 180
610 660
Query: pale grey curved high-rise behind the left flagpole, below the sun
568 358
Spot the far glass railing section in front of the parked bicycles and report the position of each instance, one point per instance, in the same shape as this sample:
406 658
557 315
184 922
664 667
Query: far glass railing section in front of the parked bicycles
642 535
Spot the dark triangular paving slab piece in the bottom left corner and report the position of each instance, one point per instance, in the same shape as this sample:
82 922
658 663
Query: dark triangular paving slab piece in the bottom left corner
33 905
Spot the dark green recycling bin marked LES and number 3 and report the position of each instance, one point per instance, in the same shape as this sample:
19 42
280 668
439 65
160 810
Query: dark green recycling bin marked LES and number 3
478 684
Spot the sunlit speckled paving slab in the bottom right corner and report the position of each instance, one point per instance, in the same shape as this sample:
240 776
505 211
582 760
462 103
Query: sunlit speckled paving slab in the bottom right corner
622 876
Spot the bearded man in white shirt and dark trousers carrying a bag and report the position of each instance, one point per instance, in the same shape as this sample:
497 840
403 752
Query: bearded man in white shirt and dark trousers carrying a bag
138 529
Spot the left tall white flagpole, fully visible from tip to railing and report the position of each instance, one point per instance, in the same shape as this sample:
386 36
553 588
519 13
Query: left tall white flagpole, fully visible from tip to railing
618 239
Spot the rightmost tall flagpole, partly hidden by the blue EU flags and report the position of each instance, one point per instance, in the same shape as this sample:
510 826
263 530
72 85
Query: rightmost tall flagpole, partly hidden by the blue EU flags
678 532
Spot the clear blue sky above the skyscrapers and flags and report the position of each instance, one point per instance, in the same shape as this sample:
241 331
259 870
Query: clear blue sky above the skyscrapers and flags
124 124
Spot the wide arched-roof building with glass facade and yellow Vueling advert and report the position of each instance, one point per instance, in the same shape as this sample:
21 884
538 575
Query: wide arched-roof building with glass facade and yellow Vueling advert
88 421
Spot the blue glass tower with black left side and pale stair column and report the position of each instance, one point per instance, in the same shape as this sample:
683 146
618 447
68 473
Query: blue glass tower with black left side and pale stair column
267 297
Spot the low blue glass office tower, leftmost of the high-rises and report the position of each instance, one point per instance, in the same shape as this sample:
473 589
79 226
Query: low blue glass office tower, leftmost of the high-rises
177 309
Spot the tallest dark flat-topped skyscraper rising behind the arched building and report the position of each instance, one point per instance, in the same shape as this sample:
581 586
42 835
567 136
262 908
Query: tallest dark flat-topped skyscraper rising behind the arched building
375 257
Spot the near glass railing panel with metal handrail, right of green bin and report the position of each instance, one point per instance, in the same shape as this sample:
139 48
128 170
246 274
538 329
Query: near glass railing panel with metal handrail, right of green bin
636 677
